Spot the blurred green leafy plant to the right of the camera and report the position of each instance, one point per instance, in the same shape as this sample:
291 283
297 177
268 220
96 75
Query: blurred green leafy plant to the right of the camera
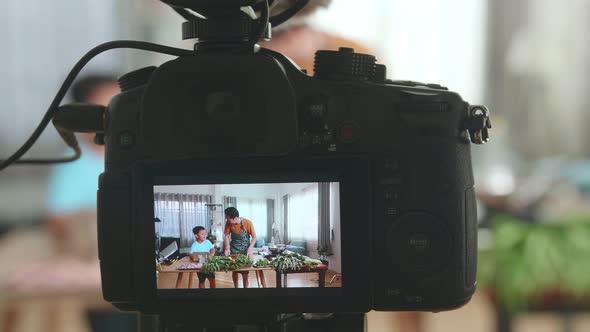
537 264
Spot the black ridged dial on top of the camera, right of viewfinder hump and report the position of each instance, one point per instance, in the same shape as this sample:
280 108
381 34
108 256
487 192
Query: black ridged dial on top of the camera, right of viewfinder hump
344 64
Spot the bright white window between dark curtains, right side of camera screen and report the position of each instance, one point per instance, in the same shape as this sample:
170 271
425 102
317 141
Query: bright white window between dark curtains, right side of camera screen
303 215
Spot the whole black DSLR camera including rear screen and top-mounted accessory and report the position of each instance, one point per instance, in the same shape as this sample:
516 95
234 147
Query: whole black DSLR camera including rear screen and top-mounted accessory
369 174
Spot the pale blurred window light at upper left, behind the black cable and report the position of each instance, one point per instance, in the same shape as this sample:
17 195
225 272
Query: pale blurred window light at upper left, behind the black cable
42 40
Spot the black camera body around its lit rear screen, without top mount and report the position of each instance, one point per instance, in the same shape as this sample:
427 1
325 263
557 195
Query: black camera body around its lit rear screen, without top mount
400 152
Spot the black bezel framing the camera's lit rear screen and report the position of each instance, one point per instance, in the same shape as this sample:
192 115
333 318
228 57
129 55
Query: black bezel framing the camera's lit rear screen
353 177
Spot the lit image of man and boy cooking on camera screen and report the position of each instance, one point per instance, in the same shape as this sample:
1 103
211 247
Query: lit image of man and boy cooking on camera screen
262 235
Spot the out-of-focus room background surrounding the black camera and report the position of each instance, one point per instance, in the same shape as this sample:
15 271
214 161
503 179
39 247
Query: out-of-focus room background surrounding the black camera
527 60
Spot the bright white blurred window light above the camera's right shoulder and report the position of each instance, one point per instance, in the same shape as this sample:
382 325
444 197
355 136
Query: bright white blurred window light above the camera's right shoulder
431 41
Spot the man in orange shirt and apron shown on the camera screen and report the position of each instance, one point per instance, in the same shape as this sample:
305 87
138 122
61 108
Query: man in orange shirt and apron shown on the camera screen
240 238
